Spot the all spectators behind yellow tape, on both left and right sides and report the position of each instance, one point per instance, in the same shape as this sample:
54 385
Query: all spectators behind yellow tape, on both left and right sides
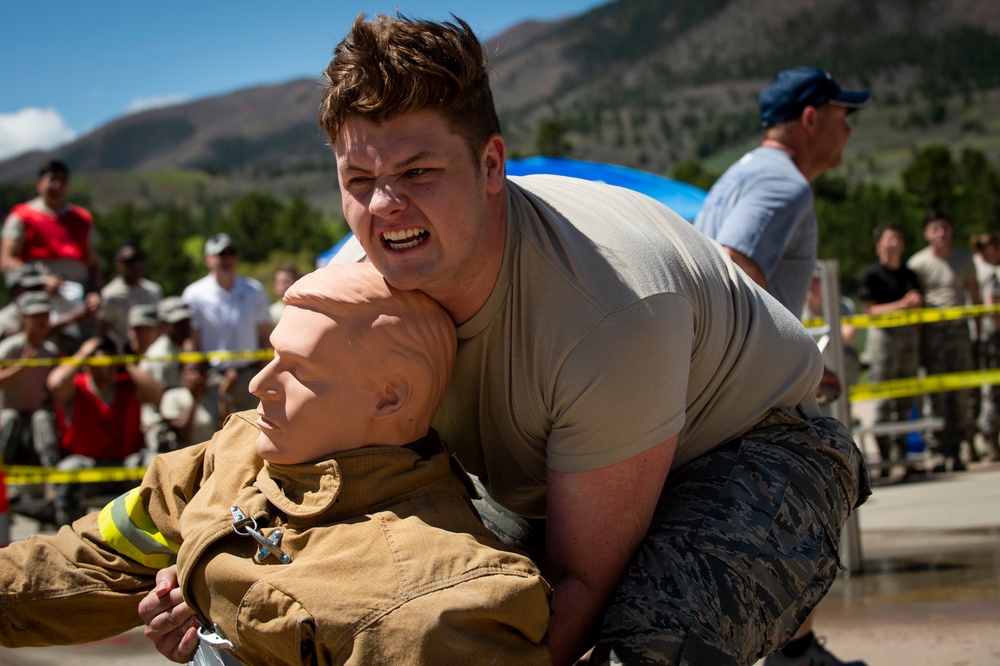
58 307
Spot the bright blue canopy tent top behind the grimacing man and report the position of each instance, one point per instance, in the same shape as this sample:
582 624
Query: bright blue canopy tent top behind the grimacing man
683 199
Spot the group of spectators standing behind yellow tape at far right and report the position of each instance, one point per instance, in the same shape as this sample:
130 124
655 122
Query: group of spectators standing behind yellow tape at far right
940 275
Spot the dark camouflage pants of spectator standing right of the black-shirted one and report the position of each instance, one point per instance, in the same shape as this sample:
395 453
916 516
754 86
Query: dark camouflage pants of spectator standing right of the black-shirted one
946 347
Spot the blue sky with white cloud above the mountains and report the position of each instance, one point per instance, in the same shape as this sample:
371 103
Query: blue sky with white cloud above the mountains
68 67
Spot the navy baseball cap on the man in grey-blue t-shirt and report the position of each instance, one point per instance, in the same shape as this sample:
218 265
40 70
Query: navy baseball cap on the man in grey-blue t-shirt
795 89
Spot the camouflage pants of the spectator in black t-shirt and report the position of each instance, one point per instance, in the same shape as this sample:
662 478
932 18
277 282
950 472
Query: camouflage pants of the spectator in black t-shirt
893 353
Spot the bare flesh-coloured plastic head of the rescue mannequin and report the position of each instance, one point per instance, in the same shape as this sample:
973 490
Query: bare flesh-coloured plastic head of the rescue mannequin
356 363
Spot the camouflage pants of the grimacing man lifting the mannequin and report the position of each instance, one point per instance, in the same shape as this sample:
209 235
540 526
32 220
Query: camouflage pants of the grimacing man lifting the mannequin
743 545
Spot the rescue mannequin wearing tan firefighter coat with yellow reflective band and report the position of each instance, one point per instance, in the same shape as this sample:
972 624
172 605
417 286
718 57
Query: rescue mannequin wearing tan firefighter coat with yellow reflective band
367 549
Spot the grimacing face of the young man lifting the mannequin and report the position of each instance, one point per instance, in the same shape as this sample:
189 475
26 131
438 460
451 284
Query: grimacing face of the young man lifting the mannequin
416 198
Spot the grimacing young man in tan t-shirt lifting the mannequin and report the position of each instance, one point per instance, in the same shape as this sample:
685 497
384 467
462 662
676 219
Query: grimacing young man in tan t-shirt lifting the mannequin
602 343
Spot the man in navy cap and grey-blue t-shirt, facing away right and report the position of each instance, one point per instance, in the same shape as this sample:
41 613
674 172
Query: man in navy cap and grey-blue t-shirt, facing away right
761 211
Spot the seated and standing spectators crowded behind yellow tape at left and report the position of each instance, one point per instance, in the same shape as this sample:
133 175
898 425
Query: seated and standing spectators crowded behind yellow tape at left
120 411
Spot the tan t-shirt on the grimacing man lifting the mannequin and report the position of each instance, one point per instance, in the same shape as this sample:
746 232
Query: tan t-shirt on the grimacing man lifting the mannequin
614 325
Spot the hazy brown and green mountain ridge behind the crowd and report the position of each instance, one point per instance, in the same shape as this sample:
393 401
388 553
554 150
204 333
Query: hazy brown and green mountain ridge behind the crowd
647 85
